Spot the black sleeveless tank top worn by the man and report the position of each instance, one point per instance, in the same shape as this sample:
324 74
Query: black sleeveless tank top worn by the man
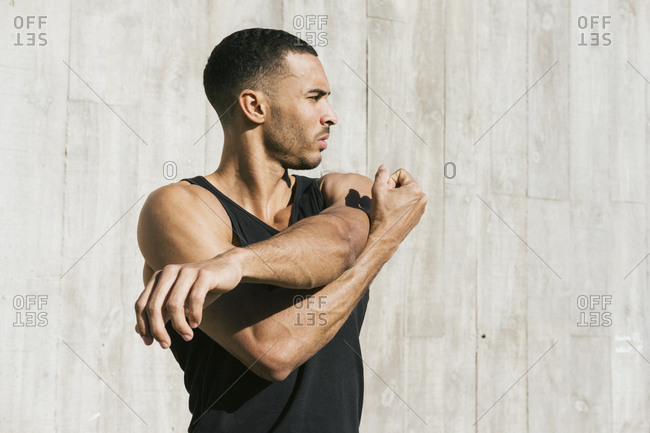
323 395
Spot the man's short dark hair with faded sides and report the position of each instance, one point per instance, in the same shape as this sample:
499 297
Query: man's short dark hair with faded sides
247 59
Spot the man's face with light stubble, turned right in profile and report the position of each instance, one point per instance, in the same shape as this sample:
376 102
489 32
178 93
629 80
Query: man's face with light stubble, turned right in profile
300 115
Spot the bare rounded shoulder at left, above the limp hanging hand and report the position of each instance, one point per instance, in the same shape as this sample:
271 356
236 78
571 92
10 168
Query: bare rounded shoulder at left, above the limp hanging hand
181 223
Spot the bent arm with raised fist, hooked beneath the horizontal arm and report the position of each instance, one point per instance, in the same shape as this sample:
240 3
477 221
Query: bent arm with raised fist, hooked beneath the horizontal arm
267 335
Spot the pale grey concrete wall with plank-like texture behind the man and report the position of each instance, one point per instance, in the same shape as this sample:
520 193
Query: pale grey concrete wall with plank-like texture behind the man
476 325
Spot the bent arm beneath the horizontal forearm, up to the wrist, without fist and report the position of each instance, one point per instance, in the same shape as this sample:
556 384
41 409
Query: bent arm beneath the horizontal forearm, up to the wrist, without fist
274 336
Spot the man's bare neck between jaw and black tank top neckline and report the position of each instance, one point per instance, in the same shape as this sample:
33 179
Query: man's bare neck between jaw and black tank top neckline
251 178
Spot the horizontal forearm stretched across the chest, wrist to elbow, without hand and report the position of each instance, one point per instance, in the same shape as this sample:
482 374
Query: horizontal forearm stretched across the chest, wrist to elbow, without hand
310 253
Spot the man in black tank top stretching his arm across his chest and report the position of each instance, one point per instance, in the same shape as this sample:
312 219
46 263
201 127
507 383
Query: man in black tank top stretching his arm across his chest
265 314
